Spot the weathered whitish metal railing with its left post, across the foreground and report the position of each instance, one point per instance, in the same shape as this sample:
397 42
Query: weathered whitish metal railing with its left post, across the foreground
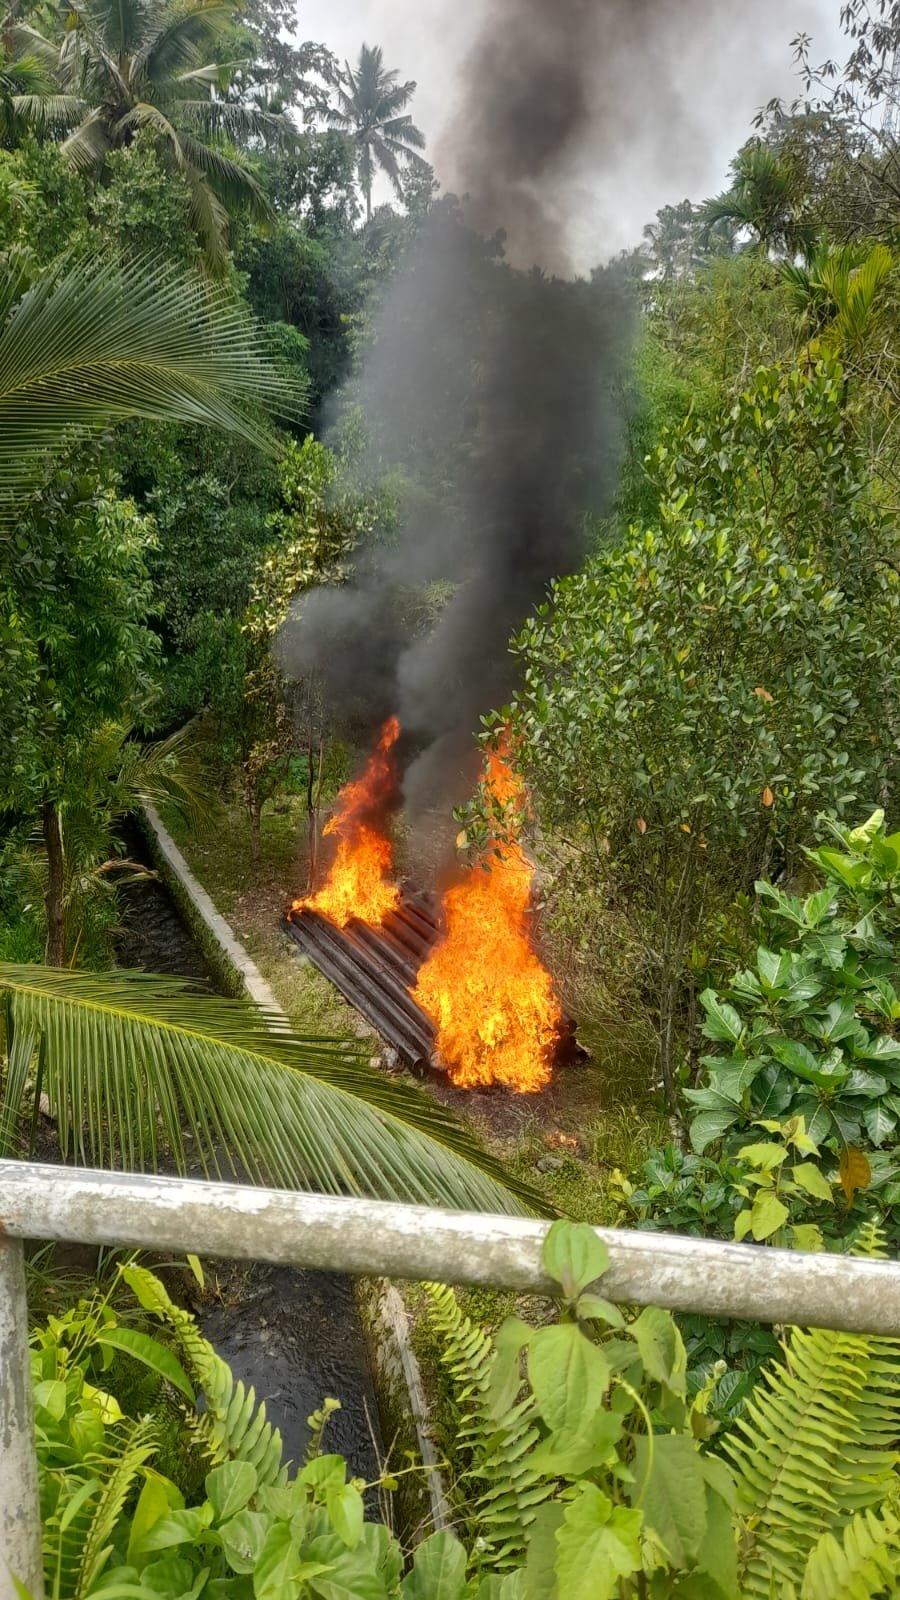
372 1239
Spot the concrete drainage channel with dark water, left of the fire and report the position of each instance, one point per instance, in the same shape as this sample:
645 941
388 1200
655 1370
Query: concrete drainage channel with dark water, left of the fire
297 1337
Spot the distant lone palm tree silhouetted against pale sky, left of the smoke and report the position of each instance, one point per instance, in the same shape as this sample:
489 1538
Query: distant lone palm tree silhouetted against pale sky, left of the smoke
371 105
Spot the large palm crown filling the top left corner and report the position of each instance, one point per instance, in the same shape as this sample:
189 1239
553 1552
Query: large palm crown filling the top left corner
145 65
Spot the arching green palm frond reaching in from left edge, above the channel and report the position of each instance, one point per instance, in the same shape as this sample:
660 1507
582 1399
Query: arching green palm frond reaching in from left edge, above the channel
94 342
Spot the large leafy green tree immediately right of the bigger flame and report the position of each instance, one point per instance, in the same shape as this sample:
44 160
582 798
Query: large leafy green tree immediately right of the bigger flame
705 689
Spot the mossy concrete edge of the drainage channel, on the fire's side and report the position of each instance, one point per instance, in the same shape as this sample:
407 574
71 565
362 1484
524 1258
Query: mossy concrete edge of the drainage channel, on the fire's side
395 1369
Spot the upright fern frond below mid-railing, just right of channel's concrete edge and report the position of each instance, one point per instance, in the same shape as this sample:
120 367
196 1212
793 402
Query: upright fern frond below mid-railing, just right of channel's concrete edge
500 1486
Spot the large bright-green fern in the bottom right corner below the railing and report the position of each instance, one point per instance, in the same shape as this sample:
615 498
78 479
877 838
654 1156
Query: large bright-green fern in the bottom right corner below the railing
816 1447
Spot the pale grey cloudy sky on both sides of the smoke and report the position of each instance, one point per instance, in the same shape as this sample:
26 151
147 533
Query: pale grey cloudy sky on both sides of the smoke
726 71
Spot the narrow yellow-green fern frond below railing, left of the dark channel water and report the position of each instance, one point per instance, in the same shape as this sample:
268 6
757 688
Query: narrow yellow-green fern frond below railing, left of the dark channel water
235 1426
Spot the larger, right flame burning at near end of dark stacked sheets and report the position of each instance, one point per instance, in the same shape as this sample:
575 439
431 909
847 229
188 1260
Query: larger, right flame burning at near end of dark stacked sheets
484 986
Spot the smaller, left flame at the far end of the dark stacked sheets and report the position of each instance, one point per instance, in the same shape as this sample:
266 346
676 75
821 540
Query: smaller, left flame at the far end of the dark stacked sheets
360 884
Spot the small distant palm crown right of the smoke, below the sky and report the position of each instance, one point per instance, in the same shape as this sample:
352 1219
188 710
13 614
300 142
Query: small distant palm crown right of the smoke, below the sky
766 202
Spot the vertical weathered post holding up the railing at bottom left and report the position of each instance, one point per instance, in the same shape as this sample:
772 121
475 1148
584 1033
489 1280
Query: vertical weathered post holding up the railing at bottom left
20 1505
